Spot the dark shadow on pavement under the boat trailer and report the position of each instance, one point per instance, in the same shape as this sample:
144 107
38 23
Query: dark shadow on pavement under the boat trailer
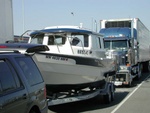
87 105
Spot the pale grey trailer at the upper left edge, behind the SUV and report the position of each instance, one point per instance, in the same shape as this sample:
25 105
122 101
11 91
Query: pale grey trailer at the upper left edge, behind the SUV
6 20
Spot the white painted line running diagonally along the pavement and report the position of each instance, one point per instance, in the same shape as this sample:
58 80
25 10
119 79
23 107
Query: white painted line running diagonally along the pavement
129 96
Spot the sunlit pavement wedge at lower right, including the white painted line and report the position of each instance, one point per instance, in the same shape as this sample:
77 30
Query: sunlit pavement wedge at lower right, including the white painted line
138 101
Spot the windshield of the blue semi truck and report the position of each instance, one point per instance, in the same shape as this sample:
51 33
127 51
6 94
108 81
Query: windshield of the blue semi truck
116 44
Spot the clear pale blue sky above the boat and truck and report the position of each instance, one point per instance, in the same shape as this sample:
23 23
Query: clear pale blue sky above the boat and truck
38 14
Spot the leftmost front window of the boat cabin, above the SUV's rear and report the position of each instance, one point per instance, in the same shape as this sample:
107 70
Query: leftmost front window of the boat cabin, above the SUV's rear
37 39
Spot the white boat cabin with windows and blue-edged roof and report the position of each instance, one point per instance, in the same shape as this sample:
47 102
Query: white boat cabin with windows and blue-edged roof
71 40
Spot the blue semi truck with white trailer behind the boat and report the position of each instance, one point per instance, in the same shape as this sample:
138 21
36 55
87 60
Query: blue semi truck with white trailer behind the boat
127 41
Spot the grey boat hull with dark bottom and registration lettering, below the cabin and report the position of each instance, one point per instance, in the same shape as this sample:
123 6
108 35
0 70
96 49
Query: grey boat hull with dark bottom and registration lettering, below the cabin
62 73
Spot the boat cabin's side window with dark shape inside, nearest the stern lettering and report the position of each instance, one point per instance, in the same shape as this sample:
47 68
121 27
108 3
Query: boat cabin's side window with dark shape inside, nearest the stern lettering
80 40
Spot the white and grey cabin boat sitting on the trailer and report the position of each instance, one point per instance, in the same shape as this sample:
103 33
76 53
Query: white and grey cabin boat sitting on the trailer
76 58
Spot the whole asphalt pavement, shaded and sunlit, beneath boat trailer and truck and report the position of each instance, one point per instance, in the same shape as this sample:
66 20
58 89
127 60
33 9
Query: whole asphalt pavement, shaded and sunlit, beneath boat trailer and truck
134 99
